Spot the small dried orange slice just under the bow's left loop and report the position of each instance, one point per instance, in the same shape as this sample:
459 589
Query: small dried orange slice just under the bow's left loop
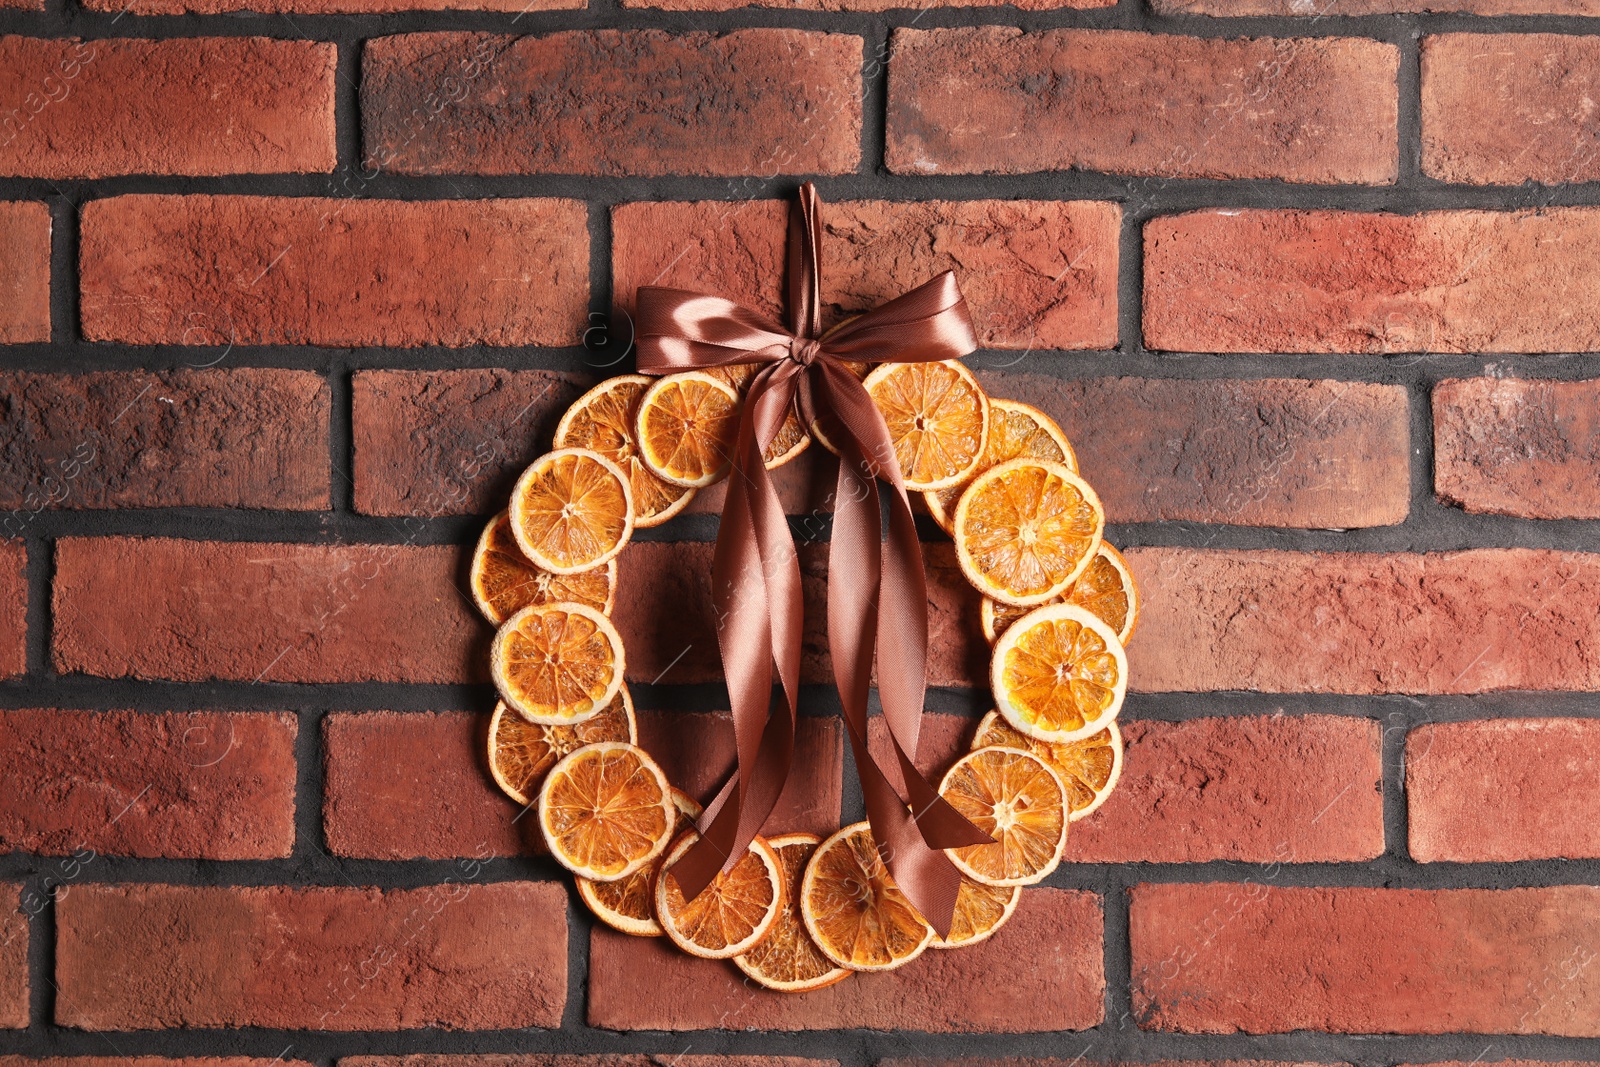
686 428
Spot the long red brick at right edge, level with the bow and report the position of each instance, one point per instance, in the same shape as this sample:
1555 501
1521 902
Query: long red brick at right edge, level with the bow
1265 281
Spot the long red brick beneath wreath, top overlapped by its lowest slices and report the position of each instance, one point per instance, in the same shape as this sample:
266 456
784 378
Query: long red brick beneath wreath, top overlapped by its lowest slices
1049 957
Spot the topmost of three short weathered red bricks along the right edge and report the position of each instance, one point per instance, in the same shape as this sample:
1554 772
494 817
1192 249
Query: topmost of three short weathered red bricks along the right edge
1500 110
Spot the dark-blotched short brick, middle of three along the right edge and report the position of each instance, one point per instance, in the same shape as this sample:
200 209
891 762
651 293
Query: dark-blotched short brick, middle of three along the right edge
1527 449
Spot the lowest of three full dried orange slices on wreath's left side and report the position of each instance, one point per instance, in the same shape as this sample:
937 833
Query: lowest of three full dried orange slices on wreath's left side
606 810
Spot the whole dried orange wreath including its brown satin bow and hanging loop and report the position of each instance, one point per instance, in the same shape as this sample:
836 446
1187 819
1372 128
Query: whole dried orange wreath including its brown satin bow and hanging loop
729 394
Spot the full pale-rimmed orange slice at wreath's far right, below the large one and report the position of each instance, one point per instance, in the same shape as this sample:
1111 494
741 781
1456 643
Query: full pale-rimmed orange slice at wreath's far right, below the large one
1058 674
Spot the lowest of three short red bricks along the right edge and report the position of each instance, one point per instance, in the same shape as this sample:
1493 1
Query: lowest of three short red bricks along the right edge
1498 791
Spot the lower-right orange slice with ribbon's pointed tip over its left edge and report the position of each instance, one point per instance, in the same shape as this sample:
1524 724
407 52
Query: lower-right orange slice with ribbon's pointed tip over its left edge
1014 797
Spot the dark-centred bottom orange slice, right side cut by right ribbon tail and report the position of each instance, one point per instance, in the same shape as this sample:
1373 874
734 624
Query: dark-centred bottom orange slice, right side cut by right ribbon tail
854 911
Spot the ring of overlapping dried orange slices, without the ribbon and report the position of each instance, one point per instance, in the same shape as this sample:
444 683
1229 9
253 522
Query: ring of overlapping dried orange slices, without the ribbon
794 914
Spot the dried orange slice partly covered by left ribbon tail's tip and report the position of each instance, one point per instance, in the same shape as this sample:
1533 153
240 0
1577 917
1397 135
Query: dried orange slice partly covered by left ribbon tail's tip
734 914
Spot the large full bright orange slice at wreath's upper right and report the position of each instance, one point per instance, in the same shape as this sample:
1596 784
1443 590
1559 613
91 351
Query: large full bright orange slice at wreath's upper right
1026 530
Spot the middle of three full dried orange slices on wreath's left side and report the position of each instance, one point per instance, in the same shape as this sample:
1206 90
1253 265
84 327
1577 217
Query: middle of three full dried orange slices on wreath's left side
558 663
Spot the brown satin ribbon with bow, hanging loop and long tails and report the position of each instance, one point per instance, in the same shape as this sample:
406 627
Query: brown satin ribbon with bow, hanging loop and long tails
876 589
